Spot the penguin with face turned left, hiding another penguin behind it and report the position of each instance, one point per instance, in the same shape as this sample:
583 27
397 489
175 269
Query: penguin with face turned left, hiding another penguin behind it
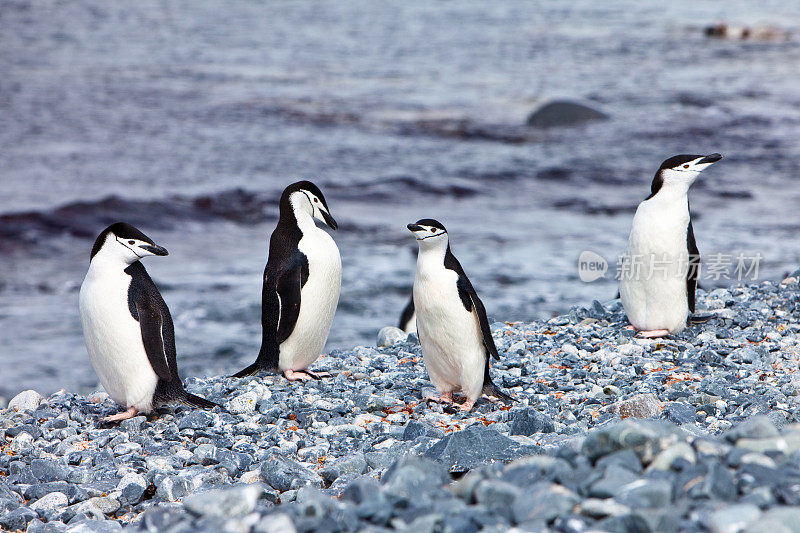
453 330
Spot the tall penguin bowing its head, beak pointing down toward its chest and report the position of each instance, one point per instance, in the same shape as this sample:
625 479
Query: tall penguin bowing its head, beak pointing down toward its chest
301 286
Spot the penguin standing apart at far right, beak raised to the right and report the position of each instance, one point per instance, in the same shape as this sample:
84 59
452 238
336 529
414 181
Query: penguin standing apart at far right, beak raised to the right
661 264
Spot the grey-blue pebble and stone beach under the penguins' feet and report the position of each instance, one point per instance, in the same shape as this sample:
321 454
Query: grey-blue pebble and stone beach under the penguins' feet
698 432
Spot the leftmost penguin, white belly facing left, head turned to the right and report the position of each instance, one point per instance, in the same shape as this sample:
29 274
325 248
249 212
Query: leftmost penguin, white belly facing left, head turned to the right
127 325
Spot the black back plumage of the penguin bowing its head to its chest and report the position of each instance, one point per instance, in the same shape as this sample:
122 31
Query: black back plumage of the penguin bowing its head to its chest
285 275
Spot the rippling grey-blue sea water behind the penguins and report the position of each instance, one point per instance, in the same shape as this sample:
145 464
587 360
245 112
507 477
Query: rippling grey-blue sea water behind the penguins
187 119
